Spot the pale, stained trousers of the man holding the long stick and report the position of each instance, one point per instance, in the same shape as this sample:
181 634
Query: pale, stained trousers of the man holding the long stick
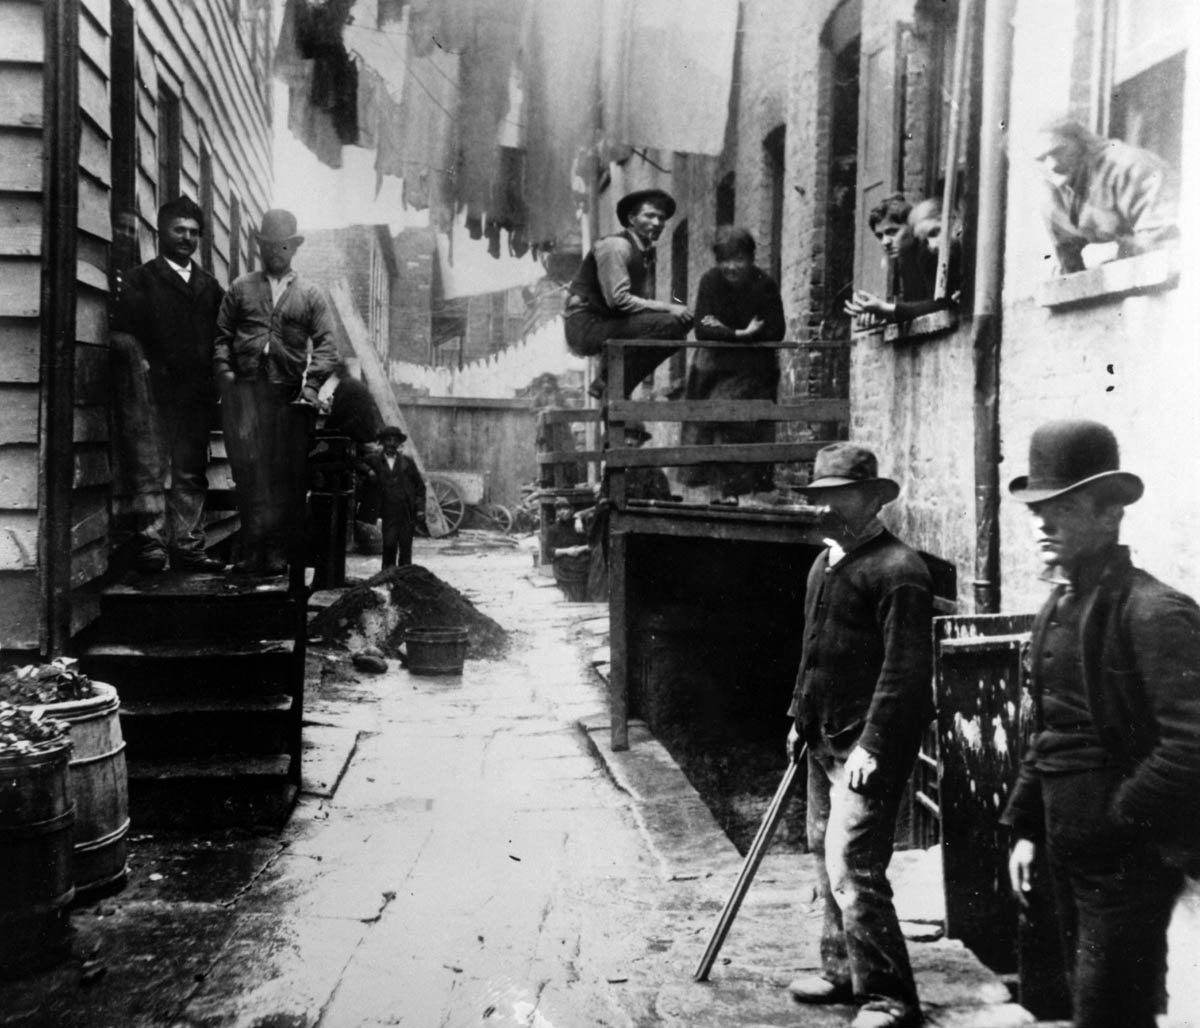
853 837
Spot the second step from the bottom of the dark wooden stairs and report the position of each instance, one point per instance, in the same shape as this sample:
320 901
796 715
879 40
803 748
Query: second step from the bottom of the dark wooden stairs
185 728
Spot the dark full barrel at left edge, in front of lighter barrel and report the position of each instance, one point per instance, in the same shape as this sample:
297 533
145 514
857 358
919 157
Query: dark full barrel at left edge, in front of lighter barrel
35 853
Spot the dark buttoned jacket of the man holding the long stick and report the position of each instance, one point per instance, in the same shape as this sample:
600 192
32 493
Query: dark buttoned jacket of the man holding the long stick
866 672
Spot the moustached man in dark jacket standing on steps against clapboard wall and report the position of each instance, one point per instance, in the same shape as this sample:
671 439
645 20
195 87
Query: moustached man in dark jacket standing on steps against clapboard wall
167 312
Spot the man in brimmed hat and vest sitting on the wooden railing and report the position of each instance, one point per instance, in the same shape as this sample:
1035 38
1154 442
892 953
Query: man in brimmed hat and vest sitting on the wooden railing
613 294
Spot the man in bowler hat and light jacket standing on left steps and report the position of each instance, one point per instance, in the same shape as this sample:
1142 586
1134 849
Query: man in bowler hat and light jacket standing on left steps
274 348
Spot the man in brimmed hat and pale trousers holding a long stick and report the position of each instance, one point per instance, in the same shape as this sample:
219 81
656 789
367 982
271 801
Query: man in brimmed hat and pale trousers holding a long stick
863 699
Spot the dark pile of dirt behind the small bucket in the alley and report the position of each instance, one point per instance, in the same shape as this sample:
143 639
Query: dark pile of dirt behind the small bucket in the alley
380 611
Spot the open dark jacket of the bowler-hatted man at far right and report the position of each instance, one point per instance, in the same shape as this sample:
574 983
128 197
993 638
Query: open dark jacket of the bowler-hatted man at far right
1141 660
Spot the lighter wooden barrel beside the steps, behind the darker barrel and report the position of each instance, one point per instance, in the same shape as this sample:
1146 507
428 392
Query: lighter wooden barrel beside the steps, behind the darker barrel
99 787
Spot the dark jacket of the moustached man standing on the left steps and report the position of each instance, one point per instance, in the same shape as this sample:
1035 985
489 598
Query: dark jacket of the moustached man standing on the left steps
176 322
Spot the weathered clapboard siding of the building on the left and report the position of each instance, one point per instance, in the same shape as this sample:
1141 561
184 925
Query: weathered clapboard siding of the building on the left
214 57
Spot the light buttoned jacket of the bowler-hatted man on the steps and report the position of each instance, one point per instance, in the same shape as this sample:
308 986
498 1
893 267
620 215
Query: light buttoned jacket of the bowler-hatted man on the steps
249 323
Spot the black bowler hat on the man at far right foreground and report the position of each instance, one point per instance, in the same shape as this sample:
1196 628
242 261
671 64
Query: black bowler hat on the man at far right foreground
1067 455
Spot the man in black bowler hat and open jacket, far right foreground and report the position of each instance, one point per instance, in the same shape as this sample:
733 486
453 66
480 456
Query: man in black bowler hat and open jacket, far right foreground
1111 785
